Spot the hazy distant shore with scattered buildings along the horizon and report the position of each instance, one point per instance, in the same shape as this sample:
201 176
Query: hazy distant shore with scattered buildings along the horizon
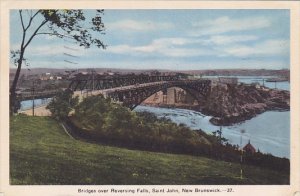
48 79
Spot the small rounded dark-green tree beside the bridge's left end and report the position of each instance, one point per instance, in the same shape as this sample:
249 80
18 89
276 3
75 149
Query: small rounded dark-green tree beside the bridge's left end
61 105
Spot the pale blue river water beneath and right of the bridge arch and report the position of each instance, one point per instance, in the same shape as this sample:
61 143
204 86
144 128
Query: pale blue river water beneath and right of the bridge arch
269 132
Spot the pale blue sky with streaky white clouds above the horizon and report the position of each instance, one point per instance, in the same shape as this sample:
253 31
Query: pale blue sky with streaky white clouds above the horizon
171 39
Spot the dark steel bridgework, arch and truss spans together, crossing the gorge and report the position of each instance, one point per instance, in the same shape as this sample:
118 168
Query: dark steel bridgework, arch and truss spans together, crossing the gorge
132 90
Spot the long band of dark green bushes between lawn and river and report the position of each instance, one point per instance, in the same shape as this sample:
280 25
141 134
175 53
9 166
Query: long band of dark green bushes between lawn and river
98 119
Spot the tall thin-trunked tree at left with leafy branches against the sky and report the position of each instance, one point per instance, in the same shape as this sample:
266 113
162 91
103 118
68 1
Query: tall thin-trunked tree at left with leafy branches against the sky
69 24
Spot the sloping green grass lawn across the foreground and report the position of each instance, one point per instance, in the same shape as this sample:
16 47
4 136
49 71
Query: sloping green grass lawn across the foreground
42 153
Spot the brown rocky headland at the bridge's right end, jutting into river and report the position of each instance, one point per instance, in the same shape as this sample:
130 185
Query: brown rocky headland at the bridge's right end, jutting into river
231 104
